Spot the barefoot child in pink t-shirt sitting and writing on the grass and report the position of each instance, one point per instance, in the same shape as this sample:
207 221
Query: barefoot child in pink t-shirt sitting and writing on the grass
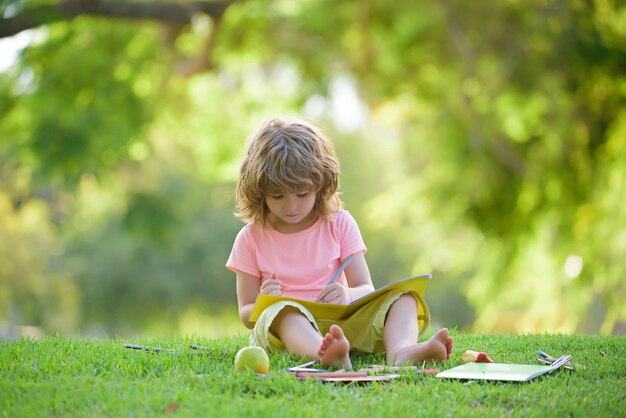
297 235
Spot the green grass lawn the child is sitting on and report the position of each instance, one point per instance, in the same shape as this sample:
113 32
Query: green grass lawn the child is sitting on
62 377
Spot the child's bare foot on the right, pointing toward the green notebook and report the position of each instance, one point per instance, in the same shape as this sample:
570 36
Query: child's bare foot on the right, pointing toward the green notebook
438 348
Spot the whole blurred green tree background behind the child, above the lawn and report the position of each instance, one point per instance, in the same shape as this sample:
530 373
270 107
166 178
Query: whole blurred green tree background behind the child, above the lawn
483 142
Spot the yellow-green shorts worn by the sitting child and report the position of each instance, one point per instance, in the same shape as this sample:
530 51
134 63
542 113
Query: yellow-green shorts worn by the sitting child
364 328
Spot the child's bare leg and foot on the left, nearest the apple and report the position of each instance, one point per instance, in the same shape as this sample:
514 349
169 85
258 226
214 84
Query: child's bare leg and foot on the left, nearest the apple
301 338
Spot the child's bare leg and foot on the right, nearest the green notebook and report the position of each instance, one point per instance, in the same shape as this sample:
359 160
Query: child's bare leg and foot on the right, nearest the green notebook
401 332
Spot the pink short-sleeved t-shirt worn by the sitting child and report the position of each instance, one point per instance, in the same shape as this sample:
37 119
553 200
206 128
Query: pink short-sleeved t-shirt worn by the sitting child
303 261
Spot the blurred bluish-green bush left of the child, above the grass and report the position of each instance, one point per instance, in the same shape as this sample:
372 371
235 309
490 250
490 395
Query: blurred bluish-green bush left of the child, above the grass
156 263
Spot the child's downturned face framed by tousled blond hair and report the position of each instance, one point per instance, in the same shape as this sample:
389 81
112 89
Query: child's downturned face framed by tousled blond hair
291 211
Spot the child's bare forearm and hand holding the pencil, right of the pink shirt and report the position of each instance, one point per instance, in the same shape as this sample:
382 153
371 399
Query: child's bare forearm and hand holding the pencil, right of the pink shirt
359 283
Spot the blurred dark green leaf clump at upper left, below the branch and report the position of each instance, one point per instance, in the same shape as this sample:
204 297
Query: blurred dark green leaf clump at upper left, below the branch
90 106
